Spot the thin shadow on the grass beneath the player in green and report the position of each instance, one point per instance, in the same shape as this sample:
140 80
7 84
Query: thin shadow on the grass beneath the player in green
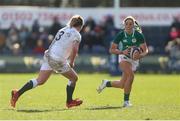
104 108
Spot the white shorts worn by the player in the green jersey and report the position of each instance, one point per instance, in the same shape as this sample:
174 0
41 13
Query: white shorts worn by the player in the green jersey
134 64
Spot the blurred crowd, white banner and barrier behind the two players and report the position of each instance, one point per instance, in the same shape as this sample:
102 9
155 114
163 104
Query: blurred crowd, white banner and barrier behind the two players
27 28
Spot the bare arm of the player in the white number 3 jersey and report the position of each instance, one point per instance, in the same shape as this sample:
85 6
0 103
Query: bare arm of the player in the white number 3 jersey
74 53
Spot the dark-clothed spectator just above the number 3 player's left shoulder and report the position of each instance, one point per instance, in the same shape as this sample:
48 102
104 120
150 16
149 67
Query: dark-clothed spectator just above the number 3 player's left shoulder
55 26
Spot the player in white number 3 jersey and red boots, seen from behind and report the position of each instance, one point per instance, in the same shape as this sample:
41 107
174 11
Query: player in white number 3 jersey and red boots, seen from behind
60 58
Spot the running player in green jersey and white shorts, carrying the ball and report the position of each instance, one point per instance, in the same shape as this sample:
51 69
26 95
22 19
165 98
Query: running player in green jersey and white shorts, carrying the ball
130 36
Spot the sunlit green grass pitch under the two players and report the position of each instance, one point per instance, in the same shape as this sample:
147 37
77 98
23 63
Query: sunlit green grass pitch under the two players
153 97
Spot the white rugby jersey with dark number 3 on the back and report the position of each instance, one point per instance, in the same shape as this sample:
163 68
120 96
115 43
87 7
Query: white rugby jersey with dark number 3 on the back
61 46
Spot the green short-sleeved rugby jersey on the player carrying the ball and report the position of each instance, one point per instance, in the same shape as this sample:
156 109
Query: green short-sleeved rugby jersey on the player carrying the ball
125 40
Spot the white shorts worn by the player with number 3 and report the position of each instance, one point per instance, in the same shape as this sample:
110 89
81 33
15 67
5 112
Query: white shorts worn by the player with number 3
58 66
